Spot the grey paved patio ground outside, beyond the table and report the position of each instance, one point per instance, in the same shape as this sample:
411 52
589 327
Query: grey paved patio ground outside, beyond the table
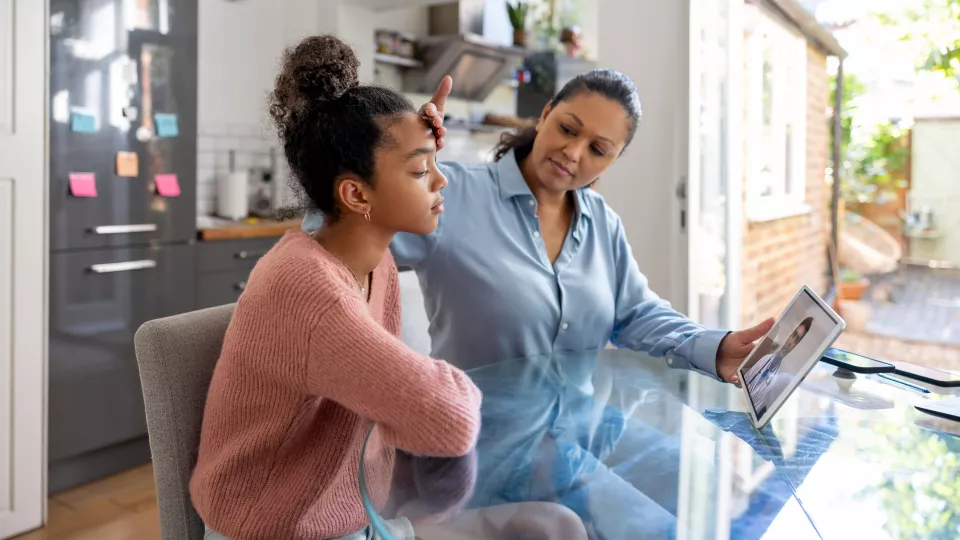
925 307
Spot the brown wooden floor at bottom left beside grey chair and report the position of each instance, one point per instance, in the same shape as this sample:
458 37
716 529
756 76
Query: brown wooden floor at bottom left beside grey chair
123 507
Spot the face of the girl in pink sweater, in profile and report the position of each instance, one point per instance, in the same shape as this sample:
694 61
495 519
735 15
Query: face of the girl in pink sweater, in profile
407 183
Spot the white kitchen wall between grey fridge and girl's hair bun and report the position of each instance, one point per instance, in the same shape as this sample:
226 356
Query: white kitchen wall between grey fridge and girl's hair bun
240 50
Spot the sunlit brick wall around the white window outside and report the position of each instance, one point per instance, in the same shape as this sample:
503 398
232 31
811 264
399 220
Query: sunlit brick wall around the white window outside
781 255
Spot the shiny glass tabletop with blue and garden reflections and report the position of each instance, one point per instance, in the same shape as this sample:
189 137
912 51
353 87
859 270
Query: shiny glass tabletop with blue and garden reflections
636 450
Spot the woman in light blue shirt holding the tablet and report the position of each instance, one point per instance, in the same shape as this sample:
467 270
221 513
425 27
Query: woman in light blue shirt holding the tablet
529 262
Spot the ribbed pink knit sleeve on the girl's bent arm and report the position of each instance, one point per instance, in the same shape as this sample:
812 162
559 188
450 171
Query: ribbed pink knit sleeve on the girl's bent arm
424 406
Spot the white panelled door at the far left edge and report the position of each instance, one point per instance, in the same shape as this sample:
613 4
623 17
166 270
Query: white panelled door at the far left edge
23 247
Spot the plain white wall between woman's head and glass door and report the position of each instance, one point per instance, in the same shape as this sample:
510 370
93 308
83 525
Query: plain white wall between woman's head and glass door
648 41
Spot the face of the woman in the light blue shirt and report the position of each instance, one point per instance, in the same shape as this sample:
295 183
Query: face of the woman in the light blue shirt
577 140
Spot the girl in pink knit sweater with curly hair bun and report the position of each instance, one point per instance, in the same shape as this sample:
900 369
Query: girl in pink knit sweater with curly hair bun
312 356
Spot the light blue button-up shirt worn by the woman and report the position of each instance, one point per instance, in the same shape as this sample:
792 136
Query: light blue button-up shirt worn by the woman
491 293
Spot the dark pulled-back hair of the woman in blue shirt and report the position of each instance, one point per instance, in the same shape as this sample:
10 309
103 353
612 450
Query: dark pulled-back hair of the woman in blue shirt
605 82
